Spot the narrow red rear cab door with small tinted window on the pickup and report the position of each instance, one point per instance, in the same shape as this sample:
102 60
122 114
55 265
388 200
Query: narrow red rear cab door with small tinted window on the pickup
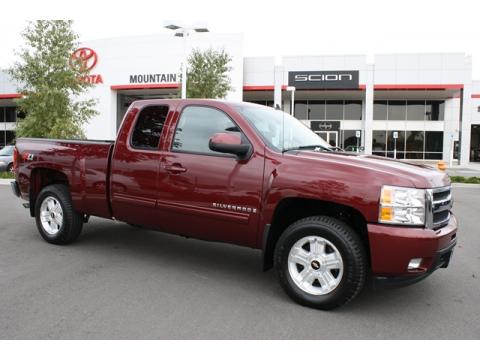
135 165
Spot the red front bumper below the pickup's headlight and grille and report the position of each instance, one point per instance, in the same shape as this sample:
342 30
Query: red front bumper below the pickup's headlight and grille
392 248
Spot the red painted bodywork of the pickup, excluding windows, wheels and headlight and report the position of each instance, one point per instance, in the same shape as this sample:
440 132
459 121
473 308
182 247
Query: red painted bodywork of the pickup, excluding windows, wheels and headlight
179 192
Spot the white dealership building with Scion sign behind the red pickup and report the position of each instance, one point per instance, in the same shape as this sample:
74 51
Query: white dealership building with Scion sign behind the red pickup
408 106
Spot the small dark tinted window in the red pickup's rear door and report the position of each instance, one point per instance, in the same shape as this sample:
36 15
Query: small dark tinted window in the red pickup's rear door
148 128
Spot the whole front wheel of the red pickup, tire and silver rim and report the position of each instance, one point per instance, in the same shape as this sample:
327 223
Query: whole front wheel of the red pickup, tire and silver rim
320 262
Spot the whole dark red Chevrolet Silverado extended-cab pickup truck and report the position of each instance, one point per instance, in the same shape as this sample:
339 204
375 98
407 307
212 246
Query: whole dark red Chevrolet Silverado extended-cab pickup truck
252 176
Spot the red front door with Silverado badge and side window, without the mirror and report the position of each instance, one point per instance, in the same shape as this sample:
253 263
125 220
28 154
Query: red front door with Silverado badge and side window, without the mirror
205 194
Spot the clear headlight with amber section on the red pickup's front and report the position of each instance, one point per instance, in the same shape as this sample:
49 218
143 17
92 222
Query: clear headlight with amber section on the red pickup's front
404 206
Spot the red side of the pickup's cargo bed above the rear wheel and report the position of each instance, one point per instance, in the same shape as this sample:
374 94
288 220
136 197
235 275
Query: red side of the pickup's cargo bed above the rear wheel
85 165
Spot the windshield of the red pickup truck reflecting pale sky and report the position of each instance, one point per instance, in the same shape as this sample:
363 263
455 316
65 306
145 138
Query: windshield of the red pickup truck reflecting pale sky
280 130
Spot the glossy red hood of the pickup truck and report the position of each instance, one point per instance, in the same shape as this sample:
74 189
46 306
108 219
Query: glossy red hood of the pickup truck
420 176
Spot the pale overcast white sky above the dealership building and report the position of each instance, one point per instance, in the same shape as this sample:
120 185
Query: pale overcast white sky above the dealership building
270 28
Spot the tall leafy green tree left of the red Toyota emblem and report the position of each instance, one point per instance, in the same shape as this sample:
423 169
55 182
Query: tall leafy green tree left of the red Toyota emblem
51 83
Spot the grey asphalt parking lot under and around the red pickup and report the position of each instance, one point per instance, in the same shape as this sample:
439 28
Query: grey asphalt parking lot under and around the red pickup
119 282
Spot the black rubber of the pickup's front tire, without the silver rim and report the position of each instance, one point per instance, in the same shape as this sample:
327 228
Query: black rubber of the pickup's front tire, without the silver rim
341 240
